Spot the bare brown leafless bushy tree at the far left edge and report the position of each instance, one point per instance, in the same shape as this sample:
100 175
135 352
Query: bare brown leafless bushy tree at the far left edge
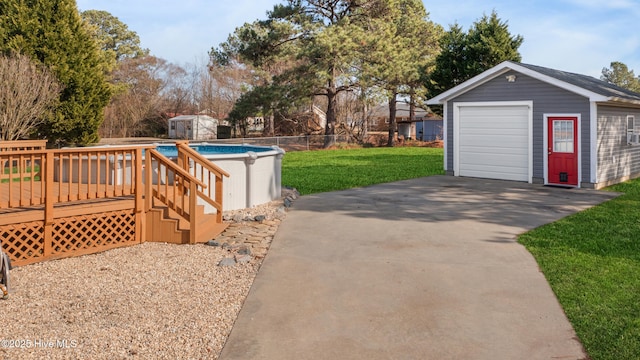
27 93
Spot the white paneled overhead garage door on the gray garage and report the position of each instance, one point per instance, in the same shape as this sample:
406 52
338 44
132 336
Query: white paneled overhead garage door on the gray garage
493 141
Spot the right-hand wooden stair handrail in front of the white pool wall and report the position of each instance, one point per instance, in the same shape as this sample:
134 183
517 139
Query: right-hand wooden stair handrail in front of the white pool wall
186 154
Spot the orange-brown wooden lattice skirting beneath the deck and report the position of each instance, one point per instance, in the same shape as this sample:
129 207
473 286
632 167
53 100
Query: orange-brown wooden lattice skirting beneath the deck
70 236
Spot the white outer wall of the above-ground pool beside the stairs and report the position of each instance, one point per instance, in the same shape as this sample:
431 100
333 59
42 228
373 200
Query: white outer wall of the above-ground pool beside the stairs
255 178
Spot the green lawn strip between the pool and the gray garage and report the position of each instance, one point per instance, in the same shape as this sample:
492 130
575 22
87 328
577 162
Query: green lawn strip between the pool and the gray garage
328 170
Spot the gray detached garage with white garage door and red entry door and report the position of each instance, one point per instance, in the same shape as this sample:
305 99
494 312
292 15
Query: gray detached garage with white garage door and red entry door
529 123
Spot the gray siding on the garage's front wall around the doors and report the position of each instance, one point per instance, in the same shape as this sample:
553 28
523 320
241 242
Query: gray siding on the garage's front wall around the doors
547 99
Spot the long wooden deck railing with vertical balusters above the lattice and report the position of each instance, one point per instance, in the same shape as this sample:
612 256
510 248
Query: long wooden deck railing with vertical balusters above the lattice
37 177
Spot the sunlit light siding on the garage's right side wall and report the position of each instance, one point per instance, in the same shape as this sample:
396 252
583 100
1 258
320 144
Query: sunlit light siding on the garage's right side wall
616 160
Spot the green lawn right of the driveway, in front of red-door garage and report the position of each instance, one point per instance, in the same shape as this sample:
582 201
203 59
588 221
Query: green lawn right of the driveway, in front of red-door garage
592 262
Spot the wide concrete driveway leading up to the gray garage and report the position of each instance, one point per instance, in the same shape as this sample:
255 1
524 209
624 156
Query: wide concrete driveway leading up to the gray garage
420 269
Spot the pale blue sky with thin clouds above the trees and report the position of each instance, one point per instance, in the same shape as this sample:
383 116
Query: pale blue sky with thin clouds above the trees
580 36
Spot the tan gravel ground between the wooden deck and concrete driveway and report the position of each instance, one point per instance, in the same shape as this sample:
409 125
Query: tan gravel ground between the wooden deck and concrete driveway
149 301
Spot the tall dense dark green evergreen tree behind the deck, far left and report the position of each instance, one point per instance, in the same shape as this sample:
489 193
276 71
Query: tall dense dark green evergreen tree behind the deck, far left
52 33
